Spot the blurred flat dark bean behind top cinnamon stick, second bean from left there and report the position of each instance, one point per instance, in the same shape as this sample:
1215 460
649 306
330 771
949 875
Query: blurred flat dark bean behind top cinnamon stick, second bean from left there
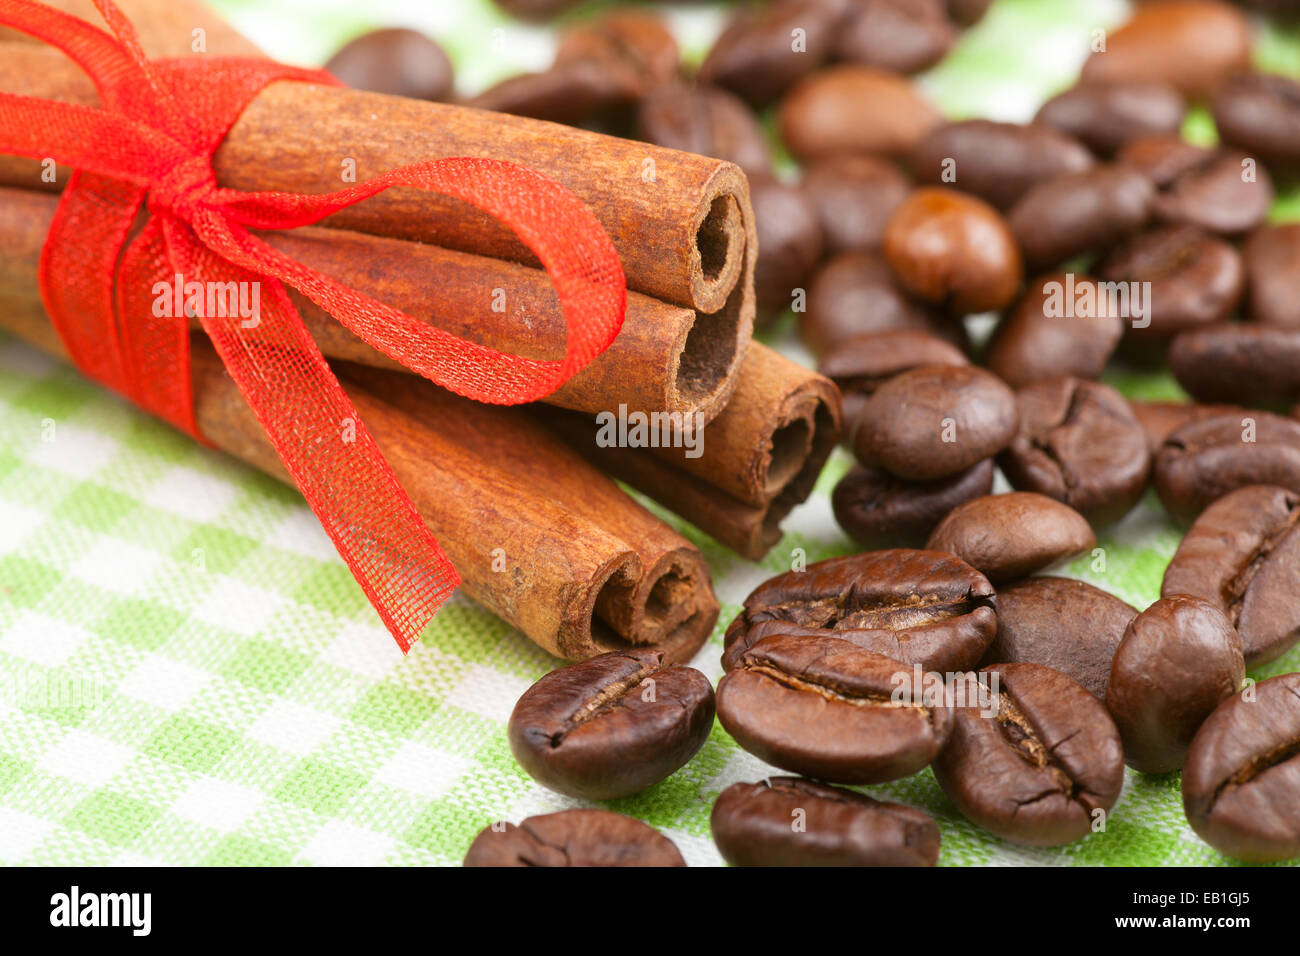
567 94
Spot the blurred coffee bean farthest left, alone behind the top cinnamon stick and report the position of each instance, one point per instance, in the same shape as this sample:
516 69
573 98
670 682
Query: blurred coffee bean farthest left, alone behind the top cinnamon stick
400 63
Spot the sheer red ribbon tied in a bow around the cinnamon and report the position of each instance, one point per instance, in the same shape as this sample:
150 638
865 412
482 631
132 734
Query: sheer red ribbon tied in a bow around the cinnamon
151 146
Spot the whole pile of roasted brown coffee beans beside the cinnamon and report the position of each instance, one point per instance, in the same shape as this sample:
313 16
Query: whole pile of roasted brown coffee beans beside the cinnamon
1097 236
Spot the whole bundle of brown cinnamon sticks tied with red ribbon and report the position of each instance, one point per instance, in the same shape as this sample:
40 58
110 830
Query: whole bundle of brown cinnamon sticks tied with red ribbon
521 499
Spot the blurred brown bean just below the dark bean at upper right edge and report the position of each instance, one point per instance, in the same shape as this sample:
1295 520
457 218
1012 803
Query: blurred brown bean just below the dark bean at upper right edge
1227 193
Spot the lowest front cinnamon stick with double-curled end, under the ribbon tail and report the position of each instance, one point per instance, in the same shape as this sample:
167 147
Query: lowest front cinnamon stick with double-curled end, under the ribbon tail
539 537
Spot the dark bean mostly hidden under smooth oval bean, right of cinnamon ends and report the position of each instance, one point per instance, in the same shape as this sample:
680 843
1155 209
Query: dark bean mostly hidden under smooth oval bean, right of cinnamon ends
881 512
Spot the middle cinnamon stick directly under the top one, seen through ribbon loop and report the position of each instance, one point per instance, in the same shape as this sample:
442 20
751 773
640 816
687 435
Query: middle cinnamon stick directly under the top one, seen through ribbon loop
666 358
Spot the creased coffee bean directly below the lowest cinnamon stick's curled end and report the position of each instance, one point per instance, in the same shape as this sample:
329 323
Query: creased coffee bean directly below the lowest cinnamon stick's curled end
613 725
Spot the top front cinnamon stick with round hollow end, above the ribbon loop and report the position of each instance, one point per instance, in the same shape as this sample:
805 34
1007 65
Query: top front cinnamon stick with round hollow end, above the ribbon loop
683 224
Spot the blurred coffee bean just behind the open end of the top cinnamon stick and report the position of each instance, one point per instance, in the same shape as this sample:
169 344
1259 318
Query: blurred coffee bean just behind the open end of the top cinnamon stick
707 122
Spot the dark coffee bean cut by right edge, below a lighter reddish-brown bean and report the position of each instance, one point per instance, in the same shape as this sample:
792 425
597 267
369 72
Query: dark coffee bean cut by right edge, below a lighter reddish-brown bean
1249 365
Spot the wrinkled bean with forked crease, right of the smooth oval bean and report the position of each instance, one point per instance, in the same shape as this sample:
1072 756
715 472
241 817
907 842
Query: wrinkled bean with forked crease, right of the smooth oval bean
1080 443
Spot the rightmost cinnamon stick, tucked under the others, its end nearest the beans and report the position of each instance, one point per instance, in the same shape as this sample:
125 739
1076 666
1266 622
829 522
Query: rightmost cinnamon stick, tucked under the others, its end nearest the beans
770 444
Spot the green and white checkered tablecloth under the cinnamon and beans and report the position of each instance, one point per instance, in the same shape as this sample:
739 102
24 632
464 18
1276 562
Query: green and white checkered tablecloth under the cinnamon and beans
189 676
